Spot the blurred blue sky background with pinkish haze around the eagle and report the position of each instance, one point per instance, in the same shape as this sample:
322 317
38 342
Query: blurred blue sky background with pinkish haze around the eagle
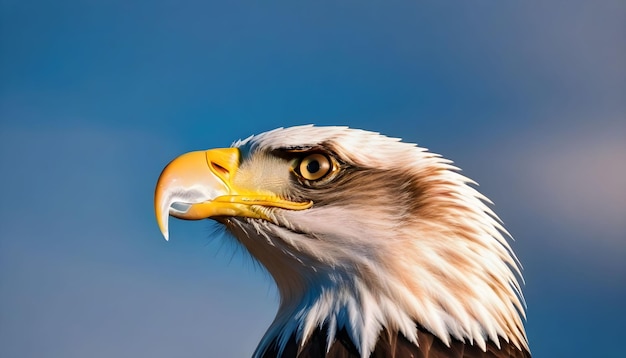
528 97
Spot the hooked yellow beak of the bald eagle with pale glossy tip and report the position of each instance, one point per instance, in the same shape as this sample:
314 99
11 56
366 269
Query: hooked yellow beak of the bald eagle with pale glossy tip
199 185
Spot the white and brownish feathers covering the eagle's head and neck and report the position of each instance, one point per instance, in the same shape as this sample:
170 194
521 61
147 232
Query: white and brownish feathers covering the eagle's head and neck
420 247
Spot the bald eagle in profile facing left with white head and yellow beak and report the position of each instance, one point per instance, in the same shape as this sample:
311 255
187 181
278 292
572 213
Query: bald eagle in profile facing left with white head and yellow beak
379 248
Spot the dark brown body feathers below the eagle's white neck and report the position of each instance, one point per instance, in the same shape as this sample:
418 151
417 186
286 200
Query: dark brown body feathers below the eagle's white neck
393 346
